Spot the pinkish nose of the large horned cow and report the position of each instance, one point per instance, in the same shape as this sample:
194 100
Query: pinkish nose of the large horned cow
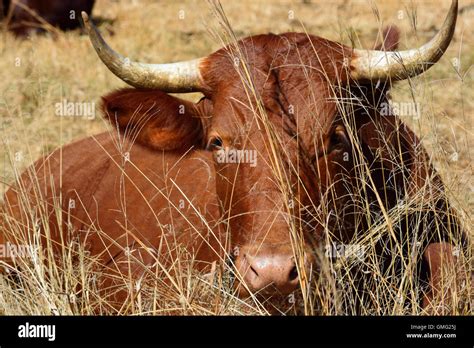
266 271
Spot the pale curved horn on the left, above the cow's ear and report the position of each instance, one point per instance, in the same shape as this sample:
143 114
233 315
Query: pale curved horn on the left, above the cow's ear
173 77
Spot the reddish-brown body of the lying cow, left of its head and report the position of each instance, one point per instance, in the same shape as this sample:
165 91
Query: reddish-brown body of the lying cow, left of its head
118 199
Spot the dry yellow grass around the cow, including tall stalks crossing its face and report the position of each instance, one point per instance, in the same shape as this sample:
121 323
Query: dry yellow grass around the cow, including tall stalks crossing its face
40 72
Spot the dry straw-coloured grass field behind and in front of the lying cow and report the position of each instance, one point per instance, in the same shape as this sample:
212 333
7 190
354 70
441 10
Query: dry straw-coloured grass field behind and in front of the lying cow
40 72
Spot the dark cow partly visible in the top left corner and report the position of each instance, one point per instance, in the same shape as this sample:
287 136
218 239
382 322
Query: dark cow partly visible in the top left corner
25 17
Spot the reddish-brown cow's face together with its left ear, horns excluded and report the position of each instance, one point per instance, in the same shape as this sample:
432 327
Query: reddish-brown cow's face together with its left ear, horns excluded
282 152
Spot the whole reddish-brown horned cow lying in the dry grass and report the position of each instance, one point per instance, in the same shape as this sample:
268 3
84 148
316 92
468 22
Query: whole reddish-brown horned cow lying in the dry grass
290 144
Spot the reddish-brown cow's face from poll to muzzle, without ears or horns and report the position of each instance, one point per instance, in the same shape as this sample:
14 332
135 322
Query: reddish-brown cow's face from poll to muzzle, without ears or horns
281 119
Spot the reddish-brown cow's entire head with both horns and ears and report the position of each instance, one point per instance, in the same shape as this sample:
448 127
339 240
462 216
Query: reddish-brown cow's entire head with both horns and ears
284 116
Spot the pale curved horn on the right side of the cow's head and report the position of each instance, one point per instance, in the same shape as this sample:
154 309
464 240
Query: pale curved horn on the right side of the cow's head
374 65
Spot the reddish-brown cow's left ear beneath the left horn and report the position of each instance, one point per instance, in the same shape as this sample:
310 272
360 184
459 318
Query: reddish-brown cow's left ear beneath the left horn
154 118
